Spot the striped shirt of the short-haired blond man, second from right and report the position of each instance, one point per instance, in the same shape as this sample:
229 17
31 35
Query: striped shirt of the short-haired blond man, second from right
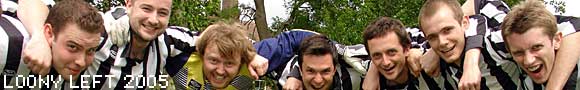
497 69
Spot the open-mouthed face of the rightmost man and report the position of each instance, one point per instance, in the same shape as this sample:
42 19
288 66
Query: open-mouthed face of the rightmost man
534 52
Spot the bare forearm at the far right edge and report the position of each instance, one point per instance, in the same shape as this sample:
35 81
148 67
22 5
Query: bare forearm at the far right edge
566 58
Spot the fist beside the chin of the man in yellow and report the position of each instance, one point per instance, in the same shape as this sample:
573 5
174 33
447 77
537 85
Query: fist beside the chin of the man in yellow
258 66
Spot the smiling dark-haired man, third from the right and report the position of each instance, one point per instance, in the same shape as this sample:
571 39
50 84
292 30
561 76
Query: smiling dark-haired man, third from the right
388 45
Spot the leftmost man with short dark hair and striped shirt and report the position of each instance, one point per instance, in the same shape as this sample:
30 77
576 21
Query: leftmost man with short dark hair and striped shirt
72 35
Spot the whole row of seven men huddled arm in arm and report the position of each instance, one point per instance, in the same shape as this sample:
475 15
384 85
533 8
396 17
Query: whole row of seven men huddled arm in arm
484 46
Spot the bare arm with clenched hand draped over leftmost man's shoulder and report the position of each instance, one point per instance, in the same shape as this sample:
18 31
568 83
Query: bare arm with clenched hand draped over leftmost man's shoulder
36 54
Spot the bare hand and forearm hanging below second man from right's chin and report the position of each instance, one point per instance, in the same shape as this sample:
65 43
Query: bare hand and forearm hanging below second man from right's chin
471 78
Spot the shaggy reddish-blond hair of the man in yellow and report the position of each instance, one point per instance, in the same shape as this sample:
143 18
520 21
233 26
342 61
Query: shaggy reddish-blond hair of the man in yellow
229 39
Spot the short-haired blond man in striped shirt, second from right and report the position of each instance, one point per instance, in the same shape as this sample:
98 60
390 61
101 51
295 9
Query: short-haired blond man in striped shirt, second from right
453 36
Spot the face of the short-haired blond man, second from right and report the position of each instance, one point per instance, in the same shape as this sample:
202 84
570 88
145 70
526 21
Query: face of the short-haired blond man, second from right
445 34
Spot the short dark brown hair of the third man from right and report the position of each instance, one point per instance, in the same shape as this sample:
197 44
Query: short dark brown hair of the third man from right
382 26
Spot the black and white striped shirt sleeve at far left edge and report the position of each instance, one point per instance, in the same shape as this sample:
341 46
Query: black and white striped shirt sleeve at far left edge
13 38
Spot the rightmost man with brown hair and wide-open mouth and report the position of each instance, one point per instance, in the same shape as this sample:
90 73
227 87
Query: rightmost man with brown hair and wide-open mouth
533 38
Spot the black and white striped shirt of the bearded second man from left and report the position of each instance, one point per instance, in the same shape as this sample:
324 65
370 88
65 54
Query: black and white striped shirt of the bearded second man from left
159 58
